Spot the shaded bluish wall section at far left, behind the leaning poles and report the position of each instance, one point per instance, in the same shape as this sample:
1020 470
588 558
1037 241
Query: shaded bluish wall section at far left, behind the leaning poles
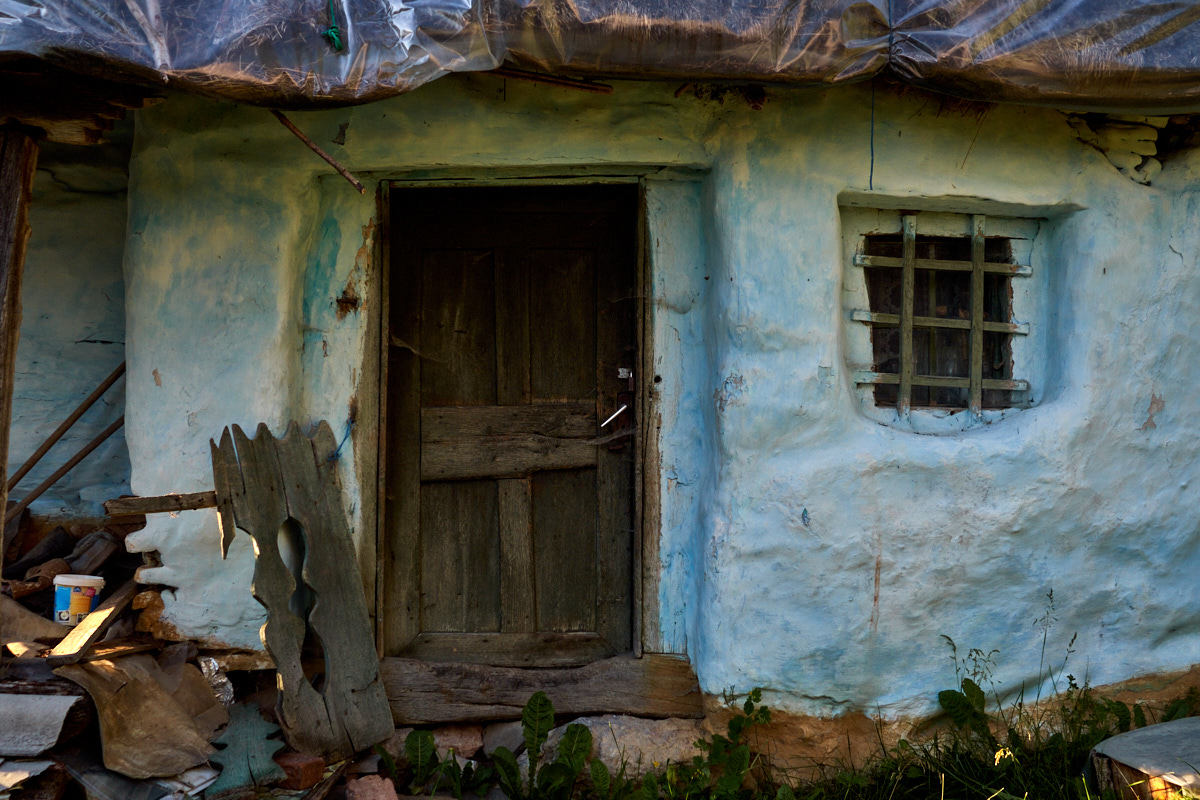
73 332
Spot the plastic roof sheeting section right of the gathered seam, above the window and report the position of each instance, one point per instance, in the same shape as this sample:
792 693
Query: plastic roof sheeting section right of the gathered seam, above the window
1131 56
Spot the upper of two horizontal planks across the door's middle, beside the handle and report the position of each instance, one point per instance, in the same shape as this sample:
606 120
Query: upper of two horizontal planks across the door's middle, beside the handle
575 420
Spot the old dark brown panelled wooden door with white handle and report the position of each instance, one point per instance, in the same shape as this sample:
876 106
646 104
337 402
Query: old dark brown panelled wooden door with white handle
508 516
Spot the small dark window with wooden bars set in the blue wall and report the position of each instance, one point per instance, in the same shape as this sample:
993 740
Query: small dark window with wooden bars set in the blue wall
941 318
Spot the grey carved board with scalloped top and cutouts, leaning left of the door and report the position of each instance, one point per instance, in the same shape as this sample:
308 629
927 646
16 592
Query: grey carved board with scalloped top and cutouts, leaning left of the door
263 484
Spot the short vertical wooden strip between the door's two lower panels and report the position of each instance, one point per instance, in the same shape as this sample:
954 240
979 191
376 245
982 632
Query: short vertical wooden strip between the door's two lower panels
518 590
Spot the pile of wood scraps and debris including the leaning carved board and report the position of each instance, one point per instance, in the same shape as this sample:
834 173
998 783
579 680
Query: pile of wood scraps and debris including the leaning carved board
118 709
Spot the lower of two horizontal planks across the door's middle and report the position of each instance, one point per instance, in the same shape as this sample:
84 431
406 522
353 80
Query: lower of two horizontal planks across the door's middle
503 458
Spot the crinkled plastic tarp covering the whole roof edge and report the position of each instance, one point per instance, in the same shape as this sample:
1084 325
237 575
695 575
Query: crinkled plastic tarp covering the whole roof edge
1132 56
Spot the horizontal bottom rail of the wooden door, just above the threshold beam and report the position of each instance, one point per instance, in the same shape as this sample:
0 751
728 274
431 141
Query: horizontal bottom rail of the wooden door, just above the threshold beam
526 649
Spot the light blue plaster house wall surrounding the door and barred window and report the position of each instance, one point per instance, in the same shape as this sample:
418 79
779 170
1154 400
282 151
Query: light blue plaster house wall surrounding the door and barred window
805 548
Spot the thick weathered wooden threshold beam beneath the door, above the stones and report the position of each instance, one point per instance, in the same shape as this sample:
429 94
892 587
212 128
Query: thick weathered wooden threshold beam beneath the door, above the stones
423 693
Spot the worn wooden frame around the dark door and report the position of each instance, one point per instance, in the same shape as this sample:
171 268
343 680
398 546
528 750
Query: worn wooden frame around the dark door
647 506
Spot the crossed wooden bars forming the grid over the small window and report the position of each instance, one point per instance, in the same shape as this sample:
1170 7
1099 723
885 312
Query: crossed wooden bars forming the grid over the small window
976 384
